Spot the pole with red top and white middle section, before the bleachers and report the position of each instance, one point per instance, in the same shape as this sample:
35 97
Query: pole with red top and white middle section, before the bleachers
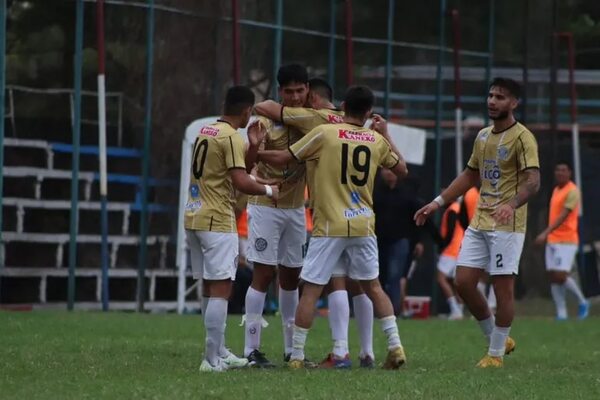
102 151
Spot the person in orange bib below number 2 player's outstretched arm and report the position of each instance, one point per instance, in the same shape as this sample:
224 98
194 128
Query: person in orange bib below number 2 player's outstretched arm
452 234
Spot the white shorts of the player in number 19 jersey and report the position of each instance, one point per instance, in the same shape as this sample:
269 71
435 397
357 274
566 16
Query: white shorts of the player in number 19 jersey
355 257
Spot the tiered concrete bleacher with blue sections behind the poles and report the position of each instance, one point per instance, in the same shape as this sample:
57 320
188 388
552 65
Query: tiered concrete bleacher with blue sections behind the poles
36 215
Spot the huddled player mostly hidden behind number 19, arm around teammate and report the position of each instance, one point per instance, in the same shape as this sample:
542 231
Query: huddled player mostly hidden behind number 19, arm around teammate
322 111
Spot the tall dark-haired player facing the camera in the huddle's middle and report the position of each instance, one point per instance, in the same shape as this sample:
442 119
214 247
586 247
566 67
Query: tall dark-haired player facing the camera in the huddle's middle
277 231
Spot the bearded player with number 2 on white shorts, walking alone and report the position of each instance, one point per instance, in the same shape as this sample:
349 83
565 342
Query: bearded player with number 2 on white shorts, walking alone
505 160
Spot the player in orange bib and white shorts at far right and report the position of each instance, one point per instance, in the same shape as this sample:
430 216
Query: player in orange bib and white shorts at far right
562 238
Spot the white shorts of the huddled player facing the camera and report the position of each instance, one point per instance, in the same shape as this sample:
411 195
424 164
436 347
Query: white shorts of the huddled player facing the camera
276 236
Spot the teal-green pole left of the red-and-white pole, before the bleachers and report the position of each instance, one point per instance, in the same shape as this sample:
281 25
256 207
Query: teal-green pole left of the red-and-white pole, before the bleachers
75 160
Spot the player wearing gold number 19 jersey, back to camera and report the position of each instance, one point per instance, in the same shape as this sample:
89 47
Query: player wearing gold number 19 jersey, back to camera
348 157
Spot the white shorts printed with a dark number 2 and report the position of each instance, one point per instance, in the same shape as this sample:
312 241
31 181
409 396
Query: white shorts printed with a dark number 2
496 252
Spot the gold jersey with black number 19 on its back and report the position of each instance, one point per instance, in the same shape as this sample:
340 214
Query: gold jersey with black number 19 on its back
348 159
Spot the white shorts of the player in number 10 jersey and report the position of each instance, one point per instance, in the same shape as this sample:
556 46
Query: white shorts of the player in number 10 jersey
214 255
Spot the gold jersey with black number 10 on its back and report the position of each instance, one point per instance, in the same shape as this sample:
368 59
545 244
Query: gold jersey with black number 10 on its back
211 196
